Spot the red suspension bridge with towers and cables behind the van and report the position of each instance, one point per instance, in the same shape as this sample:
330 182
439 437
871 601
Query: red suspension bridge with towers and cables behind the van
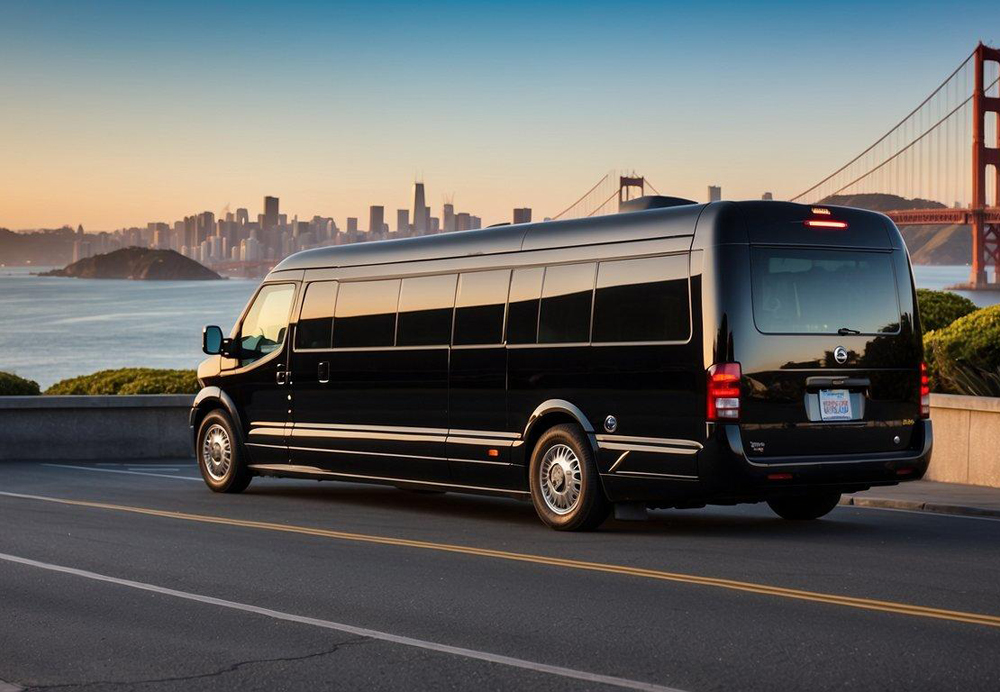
939 165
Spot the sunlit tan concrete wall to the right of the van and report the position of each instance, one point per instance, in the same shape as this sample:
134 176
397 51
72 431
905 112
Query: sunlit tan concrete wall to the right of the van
966 440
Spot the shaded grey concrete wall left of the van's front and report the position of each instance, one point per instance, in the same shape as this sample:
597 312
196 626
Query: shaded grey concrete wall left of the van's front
98 428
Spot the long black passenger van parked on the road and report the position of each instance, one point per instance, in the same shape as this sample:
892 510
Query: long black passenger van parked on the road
672 357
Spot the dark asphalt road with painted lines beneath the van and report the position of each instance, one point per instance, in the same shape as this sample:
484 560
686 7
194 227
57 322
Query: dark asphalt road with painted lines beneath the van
136 576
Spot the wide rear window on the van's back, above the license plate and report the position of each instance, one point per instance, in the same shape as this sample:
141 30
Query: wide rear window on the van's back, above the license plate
806 291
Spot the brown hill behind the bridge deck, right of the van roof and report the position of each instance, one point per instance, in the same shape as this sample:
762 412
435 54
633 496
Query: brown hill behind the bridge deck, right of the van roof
927 244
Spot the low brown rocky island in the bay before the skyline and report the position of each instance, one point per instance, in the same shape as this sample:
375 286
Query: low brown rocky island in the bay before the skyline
137 263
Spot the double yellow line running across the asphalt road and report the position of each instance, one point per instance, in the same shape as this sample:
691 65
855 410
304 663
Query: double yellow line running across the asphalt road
731 584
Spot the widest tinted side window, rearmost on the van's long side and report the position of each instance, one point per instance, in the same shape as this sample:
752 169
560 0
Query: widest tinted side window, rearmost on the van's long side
642 300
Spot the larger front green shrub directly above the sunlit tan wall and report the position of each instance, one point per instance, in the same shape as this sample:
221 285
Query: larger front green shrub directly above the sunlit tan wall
960 356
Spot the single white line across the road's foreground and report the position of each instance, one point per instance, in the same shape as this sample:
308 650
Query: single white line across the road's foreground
351 629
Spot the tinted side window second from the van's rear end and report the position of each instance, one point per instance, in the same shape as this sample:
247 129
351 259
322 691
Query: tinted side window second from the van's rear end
566 298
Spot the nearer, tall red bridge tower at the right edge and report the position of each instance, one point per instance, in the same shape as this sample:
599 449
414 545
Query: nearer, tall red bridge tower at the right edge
985 236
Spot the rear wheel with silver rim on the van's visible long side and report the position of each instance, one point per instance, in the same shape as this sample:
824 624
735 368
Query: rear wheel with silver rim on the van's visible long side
564 483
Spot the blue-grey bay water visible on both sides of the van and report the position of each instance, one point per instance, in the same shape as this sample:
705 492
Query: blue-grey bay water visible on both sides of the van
52 328
